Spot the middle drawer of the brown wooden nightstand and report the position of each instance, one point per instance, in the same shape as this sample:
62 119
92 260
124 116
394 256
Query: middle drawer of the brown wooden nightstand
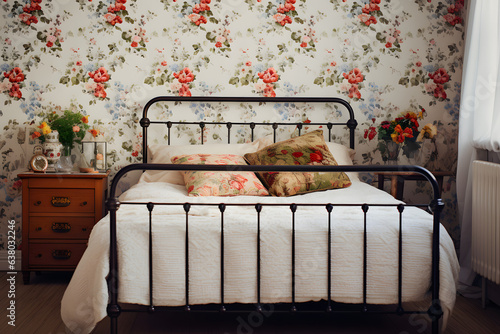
60 227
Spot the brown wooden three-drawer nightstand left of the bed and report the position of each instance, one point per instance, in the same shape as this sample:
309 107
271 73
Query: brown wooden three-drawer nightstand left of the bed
59 211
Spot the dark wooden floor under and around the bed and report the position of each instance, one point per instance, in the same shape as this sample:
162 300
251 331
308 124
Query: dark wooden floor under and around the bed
38 311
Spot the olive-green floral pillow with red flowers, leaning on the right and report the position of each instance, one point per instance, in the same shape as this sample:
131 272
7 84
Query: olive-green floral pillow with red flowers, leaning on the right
308 149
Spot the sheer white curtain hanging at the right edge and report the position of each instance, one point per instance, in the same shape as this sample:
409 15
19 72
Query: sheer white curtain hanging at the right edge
479 123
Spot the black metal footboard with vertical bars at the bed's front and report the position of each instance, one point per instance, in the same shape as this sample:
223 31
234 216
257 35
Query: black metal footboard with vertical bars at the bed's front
435 206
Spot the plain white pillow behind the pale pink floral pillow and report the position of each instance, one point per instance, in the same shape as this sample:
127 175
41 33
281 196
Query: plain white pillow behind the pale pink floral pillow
160 153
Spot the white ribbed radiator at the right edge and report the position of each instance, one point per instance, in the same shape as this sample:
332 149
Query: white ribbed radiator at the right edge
486 220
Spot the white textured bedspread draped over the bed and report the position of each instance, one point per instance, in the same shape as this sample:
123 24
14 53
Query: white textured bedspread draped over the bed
85 300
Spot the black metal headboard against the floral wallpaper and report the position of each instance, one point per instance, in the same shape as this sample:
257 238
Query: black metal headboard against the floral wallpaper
145 122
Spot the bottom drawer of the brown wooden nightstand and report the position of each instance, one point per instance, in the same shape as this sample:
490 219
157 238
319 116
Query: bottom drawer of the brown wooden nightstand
56 254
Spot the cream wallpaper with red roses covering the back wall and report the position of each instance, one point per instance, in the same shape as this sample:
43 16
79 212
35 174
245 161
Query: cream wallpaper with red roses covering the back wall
107 58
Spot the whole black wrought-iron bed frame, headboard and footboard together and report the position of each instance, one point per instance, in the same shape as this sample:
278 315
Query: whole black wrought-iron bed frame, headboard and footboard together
436 205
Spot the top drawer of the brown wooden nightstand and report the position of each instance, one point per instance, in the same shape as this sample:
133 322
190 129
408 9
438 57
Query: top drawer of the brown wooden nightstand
61 200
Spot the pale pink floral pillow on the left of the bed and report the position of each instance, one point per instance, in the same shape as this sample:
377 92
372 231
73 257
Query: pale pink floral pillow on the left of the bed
211 183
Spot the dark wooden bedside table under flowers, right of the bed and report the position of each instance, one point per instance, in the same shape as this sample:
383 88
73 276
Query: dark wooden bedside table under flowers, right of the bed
398 180
